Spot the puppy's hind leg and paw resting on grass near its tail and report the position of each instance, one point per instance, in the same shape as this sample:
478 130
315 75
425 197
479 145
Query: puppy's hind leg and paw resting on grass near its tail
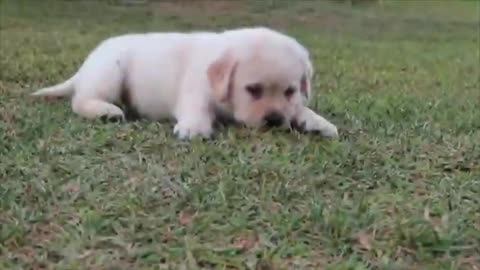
92 108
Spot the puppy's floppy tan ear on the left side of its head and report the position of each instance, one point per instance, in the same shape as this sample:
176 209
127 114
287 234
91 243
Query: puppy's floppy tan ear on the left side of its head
220 75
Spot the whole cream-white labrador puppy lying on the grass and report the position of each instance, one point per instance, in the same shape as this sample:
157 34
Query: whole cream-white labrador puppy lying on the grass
255 76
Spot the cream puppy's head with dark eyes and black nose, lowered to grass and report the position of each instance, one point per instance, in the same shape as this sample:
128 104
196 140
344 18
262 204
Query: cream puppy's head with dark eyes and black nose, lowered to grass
266 81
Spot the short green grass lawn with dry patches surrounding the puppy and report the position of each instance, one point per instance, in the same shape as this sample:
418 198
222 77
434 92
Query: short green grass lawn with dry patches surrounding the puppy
399 190
